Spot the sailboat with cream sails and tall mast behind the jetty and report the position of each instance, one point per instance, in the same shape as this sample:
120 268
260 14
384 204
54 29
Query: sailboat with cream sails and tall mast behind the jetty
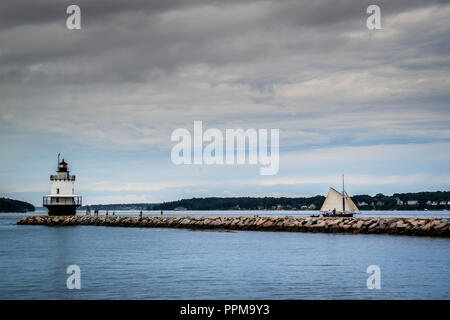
338 204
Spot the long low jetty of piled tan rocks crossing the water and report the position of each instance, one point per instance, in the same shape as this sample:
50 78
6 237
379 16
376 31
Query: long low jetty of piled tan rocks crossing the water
401 226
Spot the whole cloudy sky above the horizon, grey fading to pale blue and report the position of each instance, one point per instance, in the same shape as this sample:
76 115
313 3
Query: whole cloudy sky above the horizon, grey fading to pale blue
373 104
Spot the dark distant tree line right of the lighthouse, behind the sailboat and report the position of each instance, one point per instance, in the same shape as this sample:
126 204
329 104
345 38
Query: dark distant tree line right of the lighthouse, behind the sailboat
398 201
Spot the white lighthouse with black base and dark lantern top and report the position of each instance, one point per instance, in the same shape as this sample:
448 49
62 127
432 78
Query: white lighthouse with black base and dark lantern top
62 201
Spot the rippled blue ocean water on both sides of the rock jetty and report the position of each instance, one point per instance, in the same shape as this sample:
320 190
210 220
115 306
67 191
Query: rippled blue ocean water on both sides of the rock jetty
141 263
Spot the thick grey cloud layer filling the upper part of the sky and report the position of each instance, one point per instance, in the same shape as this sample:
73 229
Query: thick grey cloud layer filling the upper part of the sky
139 69
